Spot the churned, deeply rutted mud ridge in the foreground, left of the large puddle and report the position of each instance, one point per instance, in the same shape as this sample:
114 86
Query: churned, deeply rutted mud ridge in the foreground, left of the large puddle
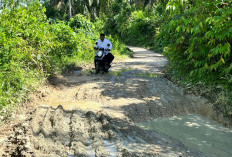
56 132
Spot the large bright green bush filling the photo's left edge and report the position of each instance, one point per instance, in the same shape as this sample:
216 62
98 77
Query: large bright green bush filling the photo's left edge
23 51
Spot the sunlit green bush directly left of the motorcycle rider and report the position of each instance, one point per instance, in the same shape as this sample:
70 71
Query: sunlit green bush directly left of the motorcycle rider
70 46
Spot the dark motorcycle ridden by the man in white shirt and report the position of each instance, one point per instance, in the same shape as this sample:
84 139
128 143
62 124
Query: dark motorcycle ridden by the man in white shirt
99 60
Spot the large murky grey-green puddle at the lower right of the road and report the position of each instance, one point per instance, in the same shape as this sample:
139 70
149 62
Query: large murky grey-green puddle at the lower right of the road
195 132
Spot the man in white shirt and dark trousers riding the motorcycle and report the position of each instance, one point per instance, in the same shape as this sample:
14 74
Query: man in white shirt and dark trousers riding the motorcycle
106 44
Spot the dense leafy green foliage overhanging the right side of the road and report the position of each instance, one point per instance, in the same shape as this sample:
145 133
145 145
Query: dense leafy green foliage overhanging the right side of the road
196 36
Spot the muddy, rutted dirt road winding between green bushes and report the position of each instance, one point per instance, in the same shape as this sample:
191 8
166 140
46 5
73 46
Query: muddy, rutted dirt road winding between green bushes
83 114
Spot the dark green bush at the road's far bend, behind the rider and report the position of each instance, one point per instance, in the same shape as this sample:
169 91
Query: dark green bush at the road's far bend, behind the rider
135 27
